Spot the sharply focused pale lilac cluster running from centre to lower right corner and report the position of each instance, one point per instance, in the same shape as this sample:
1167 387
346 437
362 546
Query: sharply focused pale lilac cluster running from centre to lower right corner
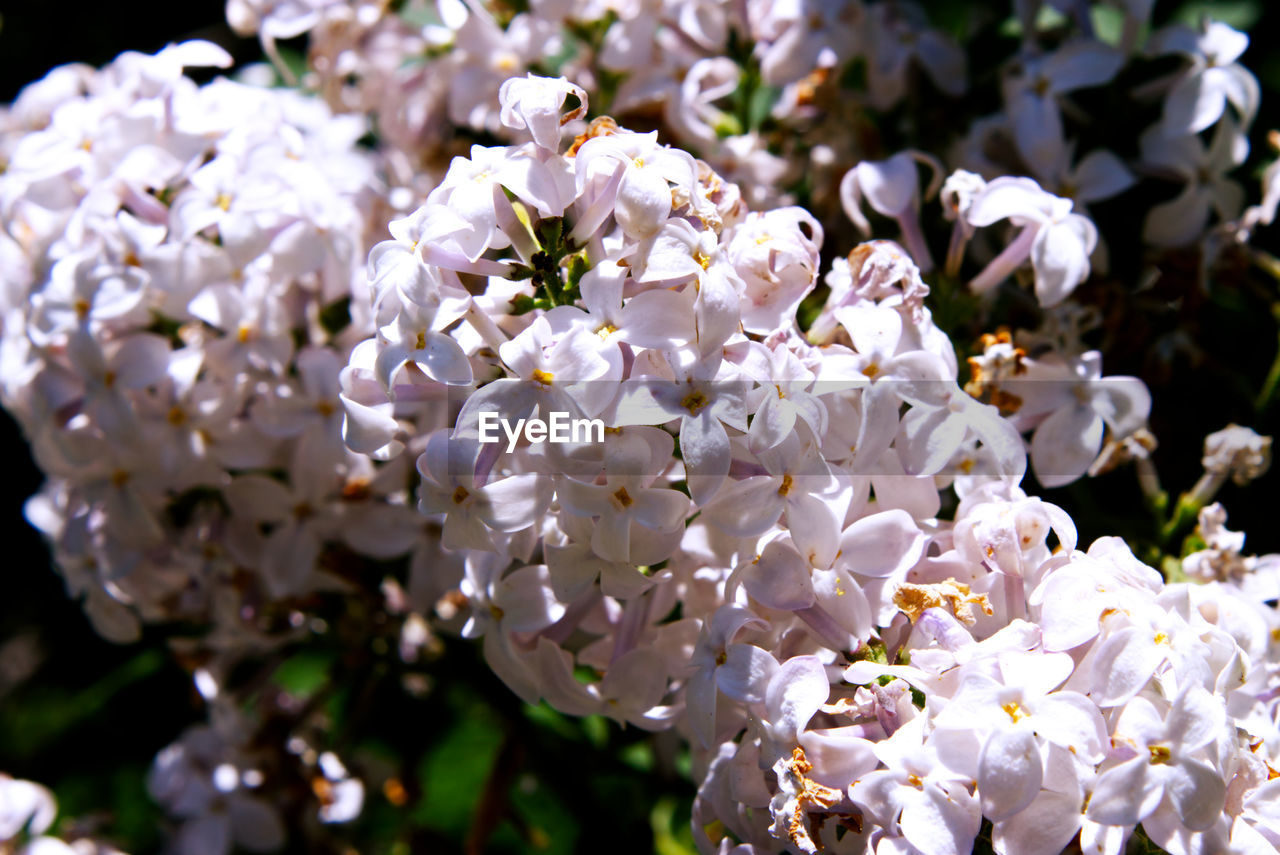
784 491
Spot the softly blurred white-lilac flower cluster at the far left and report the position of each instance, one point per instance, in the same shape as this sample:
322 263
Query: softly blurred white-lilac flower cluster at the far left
171 257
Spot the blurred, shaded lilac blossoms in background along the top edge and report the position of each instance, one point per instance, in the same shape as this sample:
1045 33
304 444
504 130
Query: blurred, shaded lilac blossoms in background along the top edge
428 68
